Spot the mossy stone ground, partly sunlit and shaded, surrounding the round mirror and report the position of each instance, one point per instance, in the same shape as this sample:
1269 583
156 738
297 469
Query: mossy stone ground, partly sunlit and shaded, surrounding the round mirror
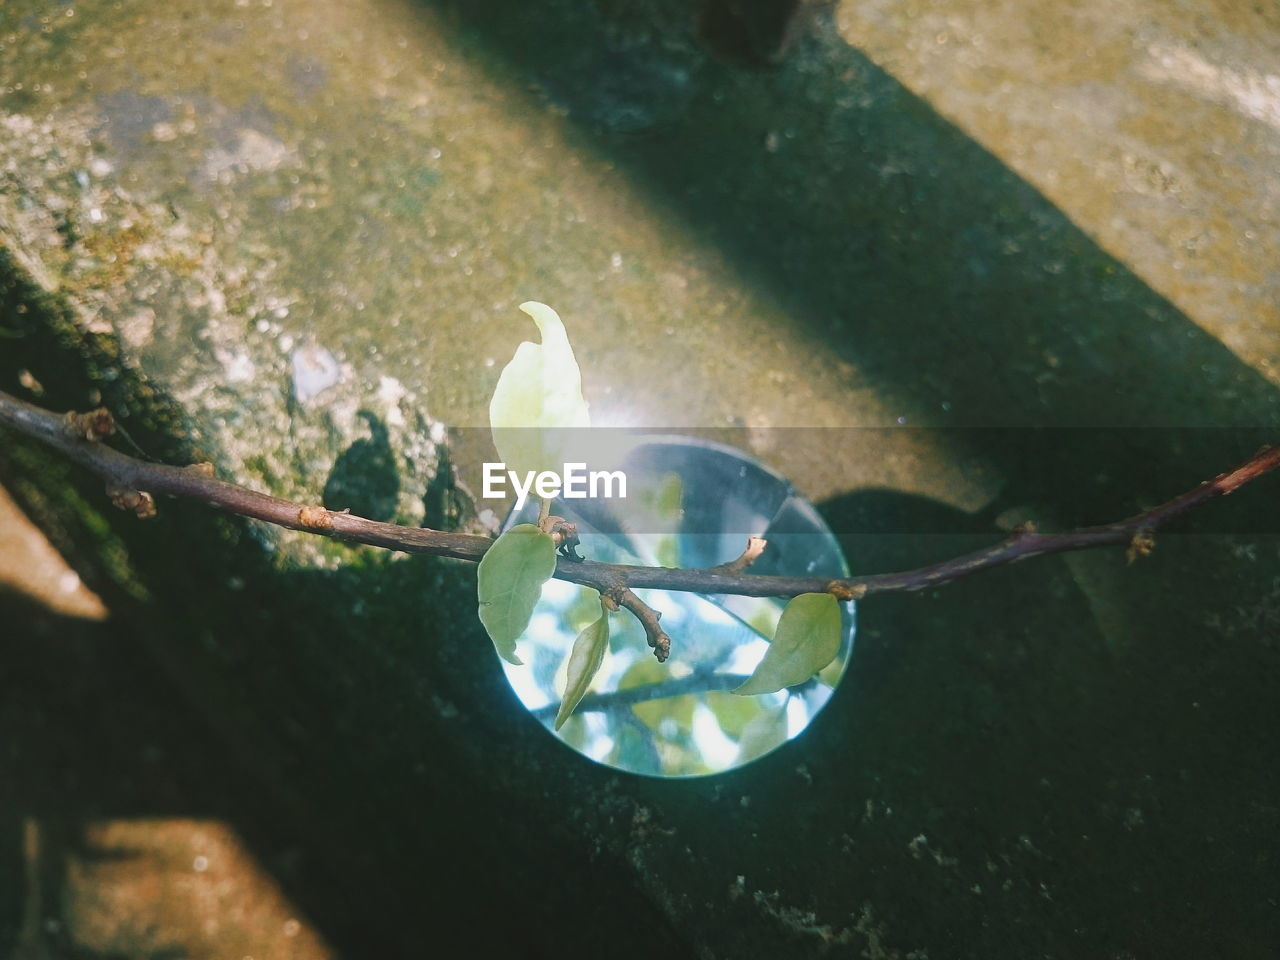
1017 259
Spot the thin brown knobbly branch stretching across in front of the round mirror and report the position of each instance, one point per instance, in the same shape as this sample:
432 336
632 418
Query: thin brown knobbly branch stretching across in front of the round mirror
130 479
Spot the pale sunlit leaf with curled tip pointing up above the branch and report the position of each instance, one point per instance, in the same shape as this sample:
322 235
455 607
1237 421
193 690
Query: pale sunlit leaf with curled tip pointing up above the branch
540 392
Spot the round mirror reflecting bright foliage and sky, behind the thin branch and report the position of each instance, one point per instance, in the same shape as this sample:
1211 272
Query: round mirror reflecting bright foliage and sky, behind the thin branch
692 504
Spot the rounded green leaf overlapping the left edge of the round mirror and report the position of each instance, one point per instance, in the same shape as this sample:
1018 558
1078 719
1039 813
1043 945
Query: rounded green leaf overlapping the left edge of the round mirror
509 583
